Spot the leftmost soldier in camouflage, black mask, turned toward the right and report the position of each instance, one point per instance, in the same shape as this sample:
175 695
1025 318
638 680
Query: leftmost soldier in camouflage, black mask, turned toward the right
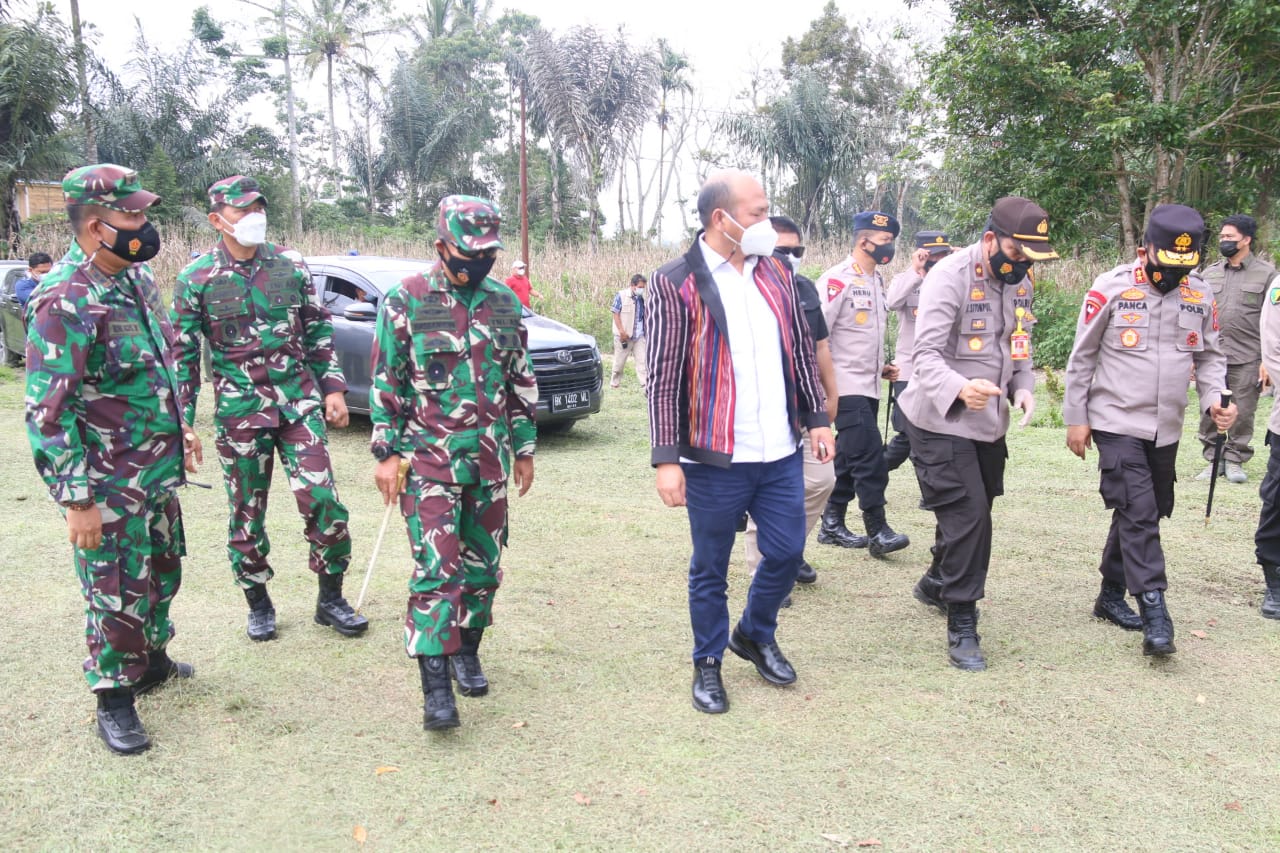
106 432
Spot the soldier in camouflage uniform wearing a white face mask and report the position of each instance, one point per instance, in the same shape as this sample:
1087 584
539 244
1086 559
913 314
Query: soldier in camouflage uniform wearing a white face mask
271 346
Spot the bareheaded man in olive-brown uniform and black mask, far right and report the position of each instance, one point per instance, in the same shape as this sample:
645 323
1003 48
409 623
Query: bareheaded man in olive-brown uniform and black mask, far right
1240 282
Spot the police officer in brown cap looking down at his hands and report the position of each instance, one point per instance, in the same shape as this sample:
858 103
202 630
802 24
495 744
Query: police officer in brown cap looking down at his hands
972 355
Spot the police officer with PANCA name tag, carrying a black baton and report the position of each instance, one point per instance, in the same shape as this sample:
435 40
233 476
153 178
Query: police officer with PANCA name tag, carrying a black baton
1141 331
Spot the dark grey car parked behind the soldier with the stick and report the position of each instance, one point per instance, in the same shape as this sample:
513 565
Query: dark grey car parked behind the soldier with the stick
568 363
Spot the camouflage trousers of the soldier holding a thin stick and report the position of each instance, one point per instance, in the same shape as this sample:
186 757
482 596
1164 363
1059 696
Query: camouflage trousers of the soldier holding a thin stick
456 535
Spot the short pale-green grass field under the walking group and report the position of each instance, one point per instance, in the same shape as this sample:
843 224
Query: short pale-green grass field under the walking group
588 741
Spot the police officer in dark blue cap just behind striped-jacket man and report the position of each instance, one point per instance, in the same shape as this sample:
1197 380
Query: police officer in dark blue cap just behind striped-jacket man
857 317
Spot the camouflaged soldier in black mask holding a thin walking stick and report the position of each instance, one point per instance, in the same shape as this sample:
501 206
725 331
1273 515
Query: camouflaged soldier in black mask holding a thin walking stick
454 393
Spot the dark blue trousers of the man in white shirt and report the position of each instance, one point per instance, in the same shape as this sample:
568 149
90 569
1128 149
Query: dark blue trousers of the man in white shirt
716 499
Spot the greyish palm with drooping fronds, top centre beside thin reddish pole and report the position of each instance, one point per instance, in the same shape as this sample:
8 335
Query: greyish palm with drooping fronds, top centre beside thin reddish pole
593 95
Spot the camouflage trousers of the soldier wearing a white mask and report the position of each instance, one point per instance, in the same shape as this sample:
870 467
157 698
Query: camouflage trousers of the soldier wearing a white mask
249 458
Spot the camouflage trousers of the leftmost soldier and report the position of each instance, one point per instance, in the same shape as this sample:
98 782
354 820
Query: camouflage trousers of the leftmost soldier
129 583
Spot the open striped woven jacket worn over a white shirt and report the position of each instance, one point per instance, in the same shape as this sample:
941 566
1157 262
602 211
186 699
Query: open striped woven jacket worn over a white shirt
691 384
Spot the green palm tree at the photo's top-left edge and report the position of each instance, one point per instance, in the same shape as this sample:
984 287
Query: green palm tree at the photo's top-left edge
36 81
